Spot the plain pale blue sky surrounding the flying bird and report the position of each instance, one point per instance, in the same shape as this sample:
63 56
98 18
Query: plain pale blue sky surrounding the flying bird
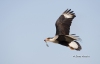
24 24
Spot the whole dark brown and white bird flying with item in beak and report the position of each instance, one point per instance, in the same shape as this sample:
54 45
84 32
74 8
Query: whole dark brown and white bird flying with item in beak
63 36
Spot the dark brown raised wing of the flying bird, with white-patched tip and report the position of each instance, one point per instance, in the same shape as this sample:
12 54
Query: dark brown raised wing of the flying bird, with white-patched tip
63 23
